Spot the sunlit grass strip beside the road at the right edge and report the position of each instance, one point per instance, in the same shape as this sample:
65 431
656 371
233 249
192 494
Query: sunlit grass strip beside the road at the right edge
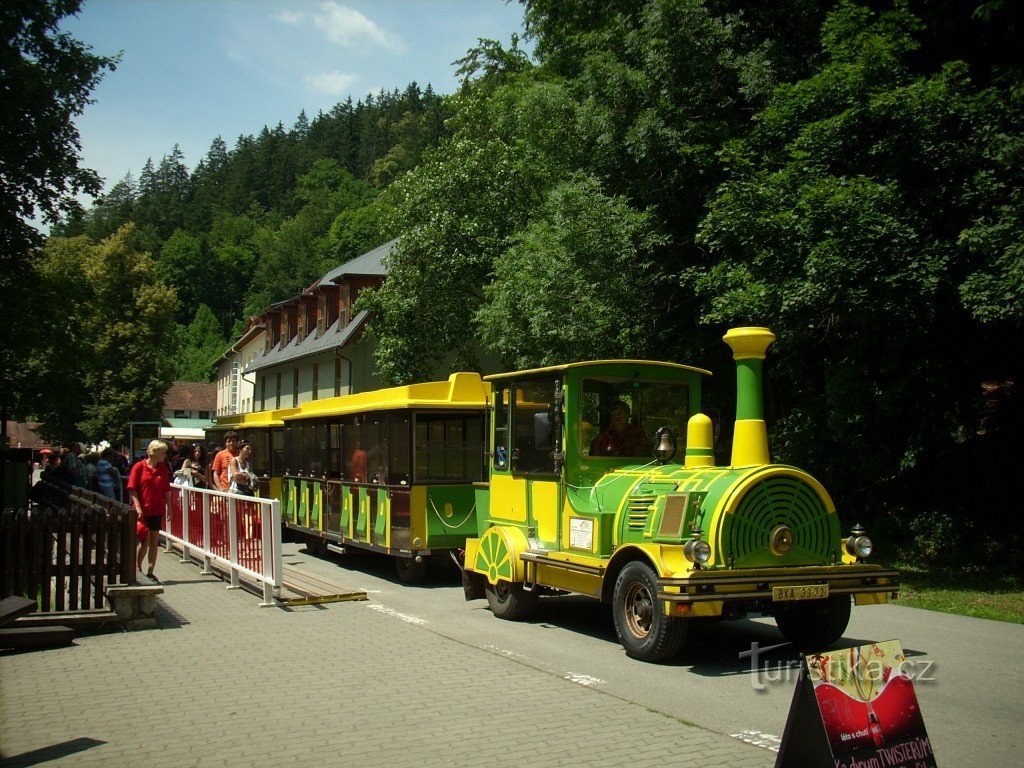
966 593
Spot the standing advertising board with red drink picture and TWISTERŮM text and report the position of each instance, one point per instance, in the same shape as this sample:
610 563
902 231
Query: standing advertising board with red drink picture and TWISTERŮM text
856 708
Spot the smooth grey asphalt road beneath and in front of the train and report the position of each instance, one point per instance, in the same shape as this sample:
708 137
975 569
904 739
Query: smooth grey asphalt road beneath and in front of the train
970 691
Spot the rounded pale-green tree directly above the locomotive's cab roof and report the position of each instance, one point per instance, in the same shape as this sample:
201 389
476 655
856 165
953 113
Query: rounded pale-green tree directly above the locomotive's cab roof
582 276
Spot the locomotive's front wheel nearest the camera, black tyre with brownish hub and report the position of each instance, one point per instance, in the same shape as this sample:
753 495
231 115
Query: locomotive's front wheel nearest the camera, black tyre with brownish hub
644 630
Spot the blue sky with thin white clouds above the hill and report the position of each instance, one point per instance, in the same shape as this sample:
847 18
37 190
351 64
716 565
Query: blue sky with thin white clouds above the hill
193 70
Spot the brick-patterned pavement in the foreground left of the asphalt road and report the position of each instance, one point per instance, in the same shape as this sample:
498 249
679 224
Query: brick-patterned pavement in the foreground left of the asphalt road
227 684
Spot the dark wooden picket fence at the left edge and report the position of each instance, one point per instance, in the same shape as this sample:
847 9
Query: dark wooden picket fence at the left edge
66 549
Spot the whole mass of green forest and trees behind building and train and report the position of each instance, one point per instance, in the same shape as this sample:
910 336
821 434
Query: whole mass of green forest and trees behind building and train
847 174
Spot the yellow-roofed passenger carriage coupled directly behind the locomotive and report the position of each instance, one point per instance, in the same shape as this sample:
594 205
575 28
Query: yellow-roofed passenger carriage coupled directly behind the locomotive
392 472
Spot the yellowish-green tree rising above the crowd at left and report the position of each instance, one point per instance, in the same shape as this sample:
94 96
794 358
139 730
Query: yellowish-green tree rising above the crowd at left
109 361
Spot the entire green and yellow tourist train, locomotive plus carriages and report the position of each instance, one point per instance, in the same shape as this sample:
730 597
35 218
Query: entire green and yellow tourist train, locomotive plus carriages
596 479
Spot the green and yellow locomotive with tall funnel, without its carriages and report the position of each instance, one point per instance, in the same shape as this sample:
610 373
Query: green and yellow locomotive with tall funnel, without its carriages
576 503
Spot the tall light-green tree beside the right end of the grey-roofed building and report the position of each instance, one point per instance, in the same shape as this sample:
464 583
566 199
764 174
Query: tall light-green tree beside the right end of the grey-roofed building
456 214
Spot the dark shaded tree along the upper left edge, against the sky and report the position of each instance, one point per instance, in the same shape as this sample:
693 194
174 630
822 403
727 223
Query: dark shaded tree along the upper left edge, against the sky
47 77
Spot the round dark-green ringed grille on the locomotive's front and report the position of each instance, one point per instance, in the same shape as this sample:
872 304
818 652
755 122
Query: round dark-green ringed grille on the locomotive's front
780 501
